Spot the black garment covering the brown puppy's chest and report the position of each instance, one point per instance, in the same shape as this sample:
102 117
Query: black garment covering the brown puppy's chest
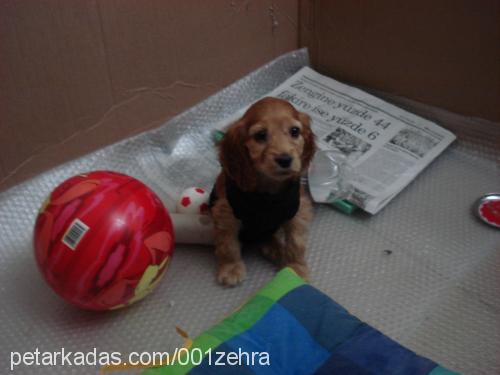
261 214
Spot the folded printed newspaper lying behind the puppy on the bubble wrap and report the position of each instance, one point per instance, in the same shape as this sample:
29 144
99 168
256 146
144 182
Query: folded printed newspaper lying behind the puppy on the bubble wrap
386 146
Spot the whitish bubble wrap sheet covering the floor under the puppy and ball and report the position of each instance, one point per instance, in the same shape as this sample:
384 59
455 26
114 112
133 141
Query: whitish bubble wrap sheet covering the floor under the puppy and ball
436 290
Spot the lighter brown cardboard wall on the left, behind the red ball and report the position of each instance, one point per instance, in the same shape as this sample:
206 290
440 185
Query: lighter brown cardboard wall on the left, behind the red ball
78 75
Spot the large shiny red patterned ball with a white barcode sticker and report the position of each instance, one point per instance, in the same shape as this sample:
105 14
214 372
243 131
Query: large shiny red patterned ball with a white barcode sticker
103 240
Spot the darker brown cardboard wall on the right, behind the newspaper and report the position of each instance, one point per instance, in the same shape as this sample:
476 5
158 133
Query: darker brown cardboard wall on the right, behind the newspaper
441 52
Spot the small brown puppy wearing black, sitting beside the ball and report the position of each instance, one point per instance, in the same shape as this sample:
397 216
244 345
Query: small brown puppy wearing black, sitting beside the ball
257 196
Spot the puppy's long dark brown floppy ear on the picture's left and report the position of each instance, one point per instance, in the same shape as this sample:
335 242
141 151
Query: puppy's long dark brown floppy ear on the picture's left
234 158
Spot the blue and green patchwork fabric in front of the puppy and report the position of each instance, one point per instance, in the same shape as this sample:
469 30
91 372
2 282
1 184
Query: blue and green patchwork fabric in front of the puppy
289 327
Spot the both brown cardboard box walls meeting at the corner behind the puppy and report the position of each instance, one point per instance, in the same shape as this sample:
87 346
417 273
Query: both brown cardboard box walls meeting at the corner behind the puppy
78 75
